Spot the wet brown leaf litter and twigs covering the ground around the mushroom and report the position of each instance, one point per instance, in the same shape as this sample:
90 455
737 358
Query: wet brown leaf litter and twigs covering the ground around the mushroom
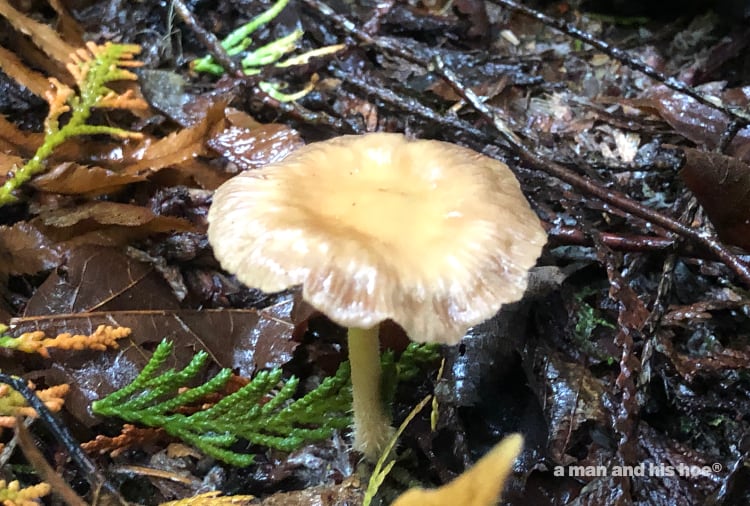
113 233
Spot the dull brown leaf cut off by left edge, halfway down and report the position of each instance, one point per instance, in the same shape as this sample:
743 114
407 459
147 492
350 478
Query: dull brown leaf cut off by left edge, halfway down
26 250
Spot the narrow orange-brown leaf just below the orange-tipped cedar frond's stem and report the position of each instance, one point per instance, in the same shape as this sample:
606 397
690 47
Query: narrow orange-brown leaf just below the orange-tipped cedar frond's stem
74 179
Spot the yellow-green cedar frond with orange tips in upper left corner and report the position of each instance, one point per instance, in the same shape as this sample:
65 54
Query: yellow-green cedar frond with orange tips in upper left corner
92 69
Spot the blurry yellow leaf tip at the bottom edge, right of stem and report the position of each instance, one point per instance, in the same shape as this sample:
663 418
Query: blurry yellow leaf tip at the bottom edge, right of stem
479 486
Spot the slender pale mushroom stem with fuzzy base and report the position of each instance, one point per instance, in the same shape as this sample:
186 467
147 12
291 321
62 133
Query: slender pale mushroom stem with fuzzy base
372 426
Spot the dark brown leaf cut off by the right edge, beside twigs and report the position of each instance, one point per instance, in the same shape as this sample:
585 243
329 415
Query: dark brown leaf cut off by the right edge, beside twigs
722 186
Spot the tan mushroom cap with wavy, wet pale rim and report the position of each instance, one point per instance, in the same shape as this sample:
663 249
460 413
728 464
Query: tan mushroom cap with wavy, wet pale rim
429 234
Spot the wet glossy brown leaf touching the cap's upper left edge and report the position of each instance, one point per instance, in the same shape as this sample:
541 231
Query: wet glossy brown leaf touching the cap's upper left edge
251 149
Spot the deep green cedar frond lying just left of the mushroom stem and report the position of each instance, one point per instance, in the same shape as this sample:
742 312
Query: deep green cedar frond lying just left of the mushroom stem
262 412
